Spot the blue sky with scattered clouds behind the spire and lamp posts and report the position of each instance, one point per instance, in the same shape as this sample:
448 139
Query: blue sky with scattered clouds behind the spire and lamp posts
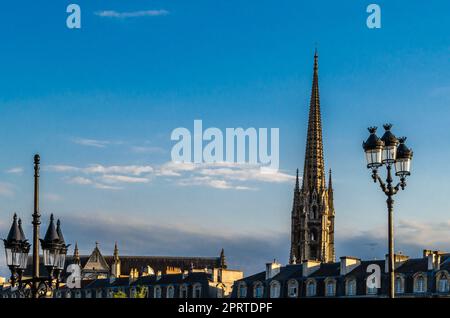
99 105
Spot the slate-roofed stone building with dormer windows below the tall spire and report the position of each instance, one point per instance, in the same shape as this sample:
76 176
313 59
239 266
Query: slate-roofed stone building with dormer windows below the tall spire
428 276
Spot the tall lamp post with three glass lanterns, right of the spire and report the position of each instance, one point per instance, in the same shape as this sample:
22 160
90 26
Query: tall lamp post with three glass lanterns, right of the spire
388 151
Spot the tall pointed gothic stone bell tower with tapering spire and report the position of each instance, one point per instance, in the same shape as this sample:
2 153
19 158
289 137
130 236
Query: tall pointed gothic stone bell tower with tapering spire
312 235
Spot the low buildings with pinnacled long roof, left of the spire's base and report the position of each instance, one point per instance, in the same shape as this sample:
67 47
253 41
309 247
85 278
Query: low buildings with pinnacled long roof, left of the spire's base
144 277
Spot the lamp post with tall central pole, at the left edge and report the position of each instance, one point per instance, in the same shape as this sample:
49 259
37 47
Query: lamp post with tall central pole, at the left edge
17 249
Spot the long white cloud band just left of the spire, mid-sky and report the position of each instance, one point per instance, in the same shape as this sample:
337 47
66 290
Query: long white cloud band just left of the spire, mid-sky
217 175
